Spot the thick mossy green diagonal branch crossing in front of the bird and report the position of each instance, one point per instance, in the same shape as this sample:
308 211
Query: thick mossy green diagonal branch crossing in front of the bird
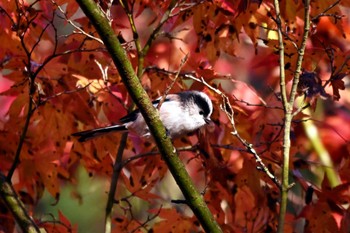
150 115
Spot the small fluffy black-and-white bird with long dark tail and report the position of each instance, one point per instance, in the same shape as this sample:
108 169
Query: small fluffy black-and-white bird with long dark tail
181 113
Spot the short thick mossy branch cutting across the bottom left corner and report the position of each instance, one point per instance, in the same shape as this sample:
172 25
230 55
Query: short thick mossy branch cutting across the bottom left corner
14 204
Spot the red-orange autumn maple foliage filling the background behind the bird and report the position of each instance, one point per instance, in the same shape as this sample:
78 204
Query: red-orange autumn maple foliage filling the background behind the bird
58 78
